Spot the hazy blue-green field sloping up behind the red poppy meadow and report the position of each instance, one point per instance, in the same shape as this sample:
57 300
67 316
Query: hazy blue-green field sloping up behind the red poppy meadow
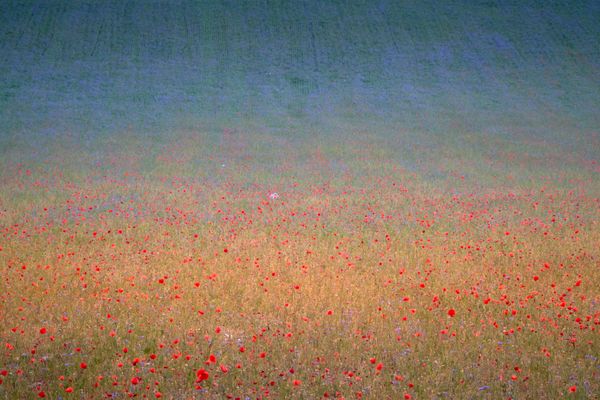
513 71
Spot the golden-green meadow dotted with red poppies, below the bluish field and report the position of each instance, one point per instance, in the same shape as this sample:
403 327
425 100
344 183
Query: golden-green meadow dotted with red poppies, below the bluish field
250 266
